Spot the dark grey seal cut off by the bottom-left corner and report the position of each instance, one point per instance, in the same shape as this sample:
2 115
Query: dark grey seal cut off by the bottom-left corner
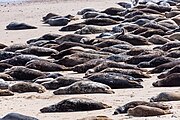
17 116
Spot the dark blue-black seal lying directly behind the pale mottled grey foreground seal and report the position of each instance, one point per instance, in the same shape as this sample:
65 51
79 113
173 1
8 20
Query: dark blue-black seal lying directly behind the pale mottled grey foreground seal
115 80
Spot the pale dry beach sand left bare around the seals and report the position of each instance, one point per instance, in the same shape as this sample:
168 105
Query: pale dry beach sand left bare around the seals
30 103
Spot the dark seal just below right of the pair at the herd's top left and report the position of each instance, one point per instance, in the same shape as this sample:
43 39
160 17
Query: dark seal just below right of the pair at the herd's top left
72 27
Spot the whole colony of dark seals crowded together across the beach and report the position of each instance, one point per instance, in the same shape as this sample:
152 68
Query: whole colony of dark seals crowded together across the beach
114 59
